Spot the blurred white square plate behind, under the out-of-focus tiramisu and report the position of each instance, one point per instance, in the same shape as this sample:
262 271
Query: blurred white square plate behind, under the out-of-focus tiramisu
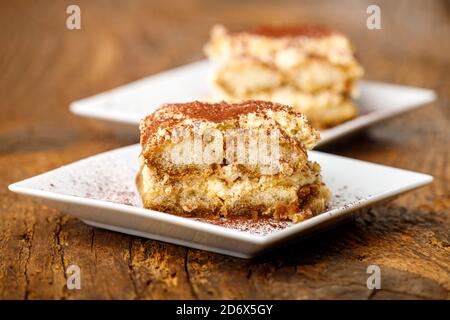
123 107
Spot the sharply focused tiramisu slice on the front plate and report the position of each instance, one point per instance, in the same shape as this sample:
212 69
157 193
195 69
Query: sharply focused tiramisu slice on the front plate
220 159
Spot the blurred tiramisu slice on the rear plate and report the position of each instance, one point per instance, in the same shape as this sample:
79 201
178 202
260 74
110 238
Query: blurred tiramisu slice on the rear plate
310 68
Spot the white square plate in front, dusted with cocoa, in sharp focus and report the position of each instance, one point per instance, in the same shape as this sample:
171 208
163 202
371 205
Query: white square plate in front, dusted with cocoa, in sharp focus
101 191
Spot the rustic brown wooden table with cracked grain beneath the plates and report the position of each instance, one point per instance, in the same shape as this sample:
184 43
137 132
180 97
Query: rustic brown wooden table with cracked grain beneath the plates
44 67
